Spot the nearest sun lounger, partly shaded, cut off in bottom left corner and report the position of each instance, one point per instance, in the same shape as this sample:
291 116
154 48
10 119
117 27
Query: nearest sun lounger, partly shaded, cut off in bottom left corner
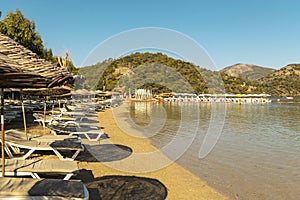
37 189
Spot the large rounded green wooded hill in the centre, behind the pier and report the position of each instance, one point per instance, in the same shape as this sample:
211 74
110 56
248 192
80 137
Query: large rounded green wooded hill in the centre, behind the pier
146 69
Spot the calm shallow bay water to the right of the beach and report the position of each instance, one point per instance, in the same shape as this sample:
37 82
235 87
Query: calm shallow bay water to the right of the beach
257 155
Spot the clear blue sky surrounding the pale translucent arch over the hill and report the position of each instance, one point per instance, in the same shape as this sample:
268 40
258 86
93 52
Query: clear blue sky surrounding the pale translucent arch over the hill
262 32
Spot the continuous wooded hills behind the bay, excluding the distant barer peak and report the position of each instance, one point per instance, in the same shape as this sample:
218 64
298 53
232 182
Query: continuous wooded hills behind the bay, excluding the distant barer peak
161 73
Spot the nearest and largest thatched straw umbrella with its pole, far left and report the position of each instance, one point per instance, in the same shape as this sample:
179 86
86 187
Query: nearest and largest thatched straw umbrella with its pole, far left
21 68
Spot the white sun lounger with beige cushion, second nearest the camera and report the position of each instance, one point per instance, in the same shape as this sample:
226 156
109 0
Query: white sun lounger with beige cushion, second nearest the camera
33 168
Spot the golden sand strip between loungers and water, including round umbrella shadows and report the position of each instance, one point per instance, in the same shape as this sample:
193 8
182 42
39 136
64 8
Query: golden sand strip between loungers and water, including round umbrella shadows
109 170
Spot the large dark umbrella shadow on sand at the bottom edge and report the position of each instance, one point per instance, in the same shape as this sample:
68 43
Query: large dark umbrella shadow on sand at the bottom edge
124 187
